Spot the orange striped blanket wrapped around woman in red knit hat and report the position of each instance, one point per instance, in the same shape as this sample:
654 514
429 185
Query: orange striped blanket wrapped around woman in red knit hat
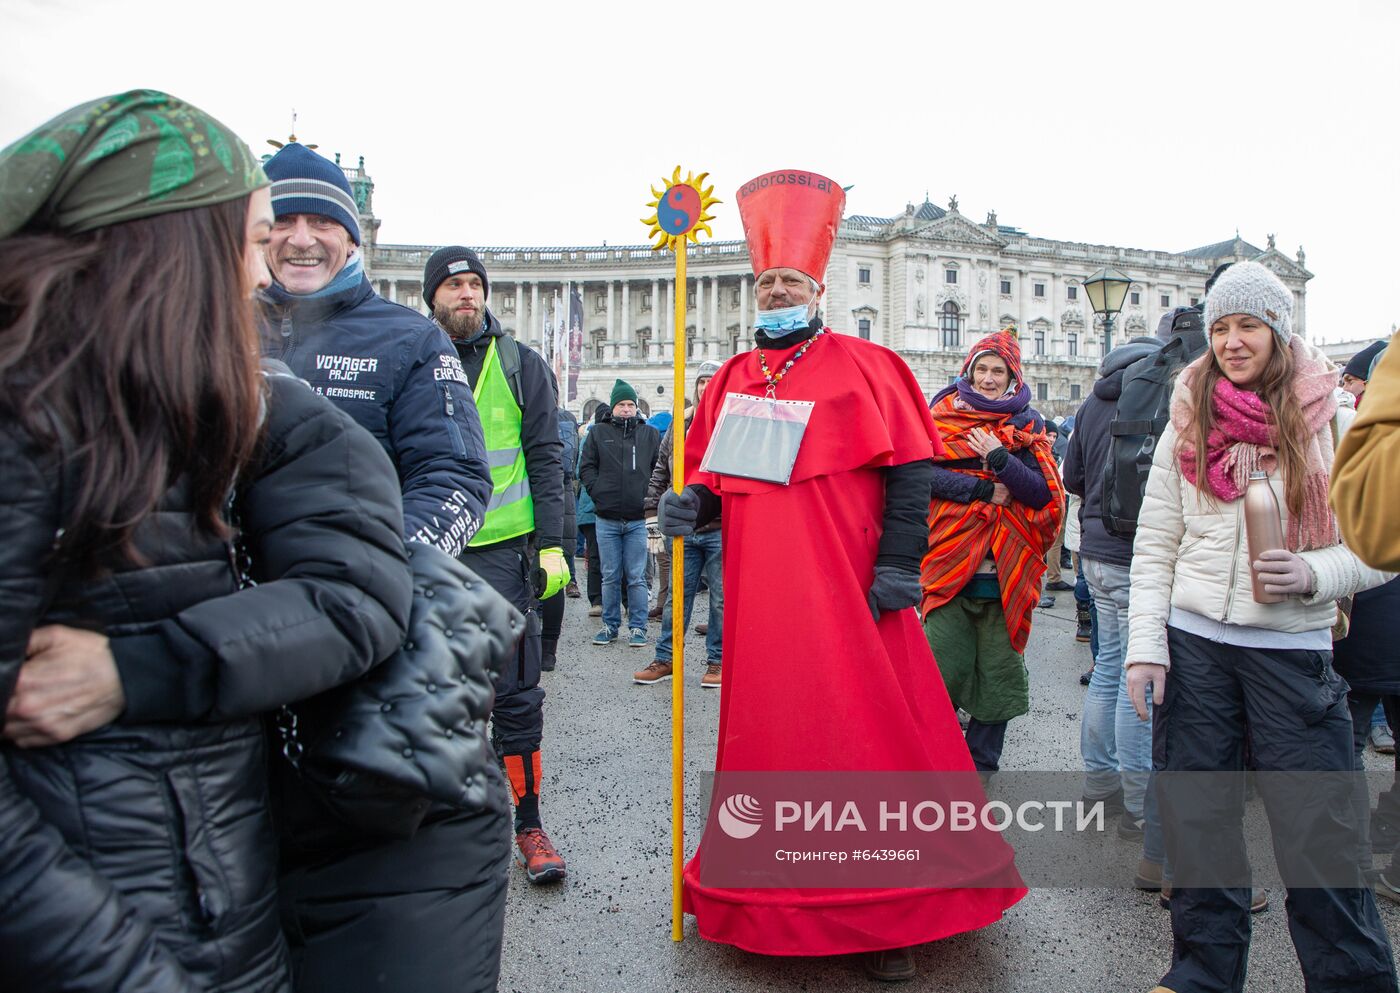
961 534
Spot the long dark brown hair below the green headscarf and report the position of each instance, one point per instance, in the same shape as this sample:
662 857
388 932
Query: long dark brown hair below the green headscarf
134 351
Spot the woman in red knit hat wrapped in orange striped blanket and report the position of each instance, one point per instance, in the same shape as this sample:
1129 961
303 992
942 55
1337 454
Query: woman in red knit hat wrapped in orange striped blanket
997 506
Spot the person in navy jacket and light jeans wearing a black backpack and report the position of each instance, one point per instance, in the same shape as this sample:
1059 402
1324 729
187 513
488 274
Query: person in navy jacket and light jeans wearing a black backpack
1112 740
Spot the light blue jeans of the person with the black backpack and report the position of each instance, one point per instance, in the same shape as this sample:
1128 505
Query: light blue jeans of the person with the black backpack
1112 739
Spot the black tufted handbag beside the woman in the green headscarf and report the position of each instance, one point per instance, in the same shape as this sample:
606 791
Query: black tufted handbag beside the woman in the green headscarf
415 730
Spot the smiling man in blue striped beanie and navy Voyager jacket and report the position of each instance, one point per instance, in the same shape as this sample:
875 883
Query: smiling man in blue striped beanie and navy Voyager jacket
391 369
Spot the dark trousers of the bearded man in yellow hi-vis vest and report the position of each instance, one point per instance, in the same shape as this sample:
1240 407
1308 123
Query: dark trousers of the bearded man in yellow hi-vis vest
519 718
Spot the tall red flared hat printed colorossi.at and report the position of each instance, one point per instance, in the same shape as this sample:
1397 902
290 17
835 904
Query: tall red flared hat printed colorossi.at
790 219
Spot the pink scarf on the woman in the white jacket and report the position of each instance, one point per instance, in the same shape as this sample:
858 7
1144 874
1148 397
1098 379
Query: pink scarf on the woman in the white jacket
1244 440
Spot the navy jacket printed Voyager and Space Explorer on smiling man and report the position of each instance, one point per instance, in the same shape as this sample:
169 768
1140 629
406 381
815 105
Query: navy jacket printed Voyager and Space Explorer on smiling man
398 376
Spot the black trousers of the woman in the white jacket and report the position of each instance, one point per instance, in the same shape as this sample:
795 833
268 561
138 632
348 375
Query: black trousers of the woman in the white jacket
1297 715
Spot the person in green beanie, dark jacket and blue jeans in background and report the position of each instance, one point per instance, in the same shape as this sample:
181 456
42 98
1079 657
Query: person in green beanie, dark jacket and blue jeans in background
617 464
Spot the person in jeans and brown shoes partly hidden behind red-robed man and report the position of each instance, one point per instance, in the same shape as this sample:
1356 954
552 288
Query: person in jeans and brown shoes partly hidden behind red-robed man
703 558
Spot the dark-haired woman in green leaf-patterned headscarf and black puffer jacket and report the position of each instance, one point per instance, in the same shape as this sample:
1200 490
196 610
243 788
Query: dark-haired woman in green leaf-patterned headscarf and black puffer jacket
136 842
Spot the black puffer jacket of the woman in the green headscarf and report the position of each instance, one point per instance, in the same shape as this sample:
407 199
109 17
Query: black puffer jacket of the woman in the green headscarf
142 856
